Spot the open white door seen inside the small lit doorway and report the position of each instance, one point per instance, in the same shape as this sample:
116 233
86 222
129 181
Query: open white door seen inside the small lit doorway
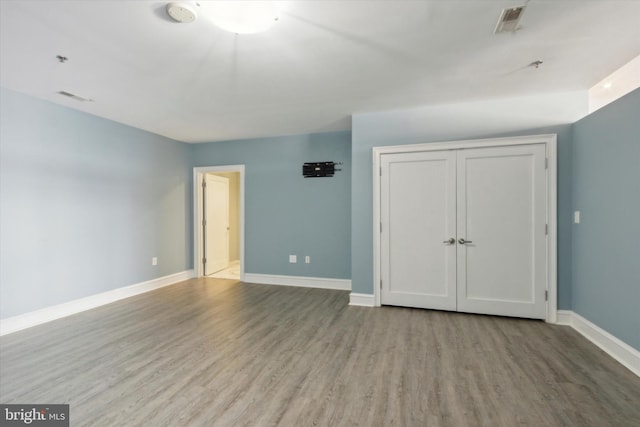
216 225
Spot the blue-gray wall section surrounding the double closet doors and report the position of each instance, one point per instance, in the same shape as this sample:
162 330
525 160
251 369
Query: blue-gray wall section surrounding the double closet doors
368 132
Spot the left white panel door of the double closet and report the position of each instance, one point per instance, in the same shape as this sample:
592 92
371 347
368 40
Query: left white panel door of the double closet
418 215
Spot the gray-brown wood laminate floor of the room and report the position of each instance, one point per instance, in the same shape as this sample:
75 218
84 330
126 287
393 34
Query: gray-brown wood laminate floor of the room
210 352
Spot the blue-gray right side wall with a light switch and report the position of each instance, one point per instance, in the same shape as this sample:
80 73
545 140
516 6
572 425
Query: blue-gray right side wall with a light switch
606 243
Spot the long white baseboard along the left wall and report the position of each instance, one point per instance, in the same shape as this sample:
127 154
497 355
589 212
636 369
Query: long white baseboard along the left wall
47 314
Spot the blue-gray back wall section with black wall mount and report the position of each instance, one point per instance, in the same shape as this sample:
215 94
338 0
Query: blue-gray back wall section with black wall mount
286 214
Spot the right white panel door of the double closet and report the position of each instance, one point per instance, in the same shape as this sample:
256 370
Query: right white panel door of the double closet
501 196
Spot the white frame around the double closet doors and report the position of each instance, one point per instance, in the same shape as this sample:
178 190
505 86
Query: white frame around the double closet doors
550 141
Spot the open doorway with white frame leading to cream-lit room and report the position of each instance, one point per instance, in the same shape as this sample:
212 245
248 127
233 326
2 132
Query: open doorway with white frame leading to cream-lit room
219 222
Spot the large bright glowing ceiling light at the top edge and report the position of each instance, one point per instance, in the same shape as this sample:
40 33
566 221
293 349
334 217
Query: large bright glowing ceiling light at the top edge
241 17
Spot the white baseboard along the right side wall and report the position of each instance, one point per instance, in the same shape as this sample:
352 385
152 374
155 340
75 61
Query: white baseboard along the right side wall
619 350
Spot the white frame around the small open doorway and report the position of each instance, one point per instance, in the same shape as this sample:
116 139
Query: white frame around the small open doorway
198 173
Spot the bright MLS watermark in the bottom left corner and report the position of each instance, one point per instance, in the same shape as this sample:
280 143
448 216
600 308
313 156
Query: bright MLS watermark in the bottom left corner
53 415
